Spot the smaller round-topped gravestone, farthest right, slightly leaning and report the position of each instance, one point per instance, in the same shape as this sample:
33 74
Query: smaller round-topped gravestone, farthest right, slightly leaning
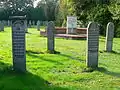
109 36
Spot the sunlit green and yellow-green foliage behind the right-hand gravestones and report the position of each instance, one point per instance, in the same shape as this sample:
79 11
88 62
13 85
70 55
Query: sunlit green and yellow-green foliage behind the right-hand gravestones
101 11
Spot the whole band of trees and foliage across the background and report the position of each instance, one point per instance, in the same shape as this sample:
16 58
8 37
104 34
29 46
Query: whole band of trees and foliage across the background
101 11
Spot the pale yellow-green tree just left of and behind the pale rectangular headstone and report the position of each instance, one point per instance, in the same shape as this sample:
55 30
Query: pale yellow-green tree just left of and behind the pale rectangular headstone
65 9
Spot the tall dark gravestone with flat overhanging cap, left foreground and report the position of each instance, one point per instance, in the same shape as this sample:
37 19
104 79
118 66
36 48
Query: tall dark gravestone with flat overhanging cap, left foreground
18 43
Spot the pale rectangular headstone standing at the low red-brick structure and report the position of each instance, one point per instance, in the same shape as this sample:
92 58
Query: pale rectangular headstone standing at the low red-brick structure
71 25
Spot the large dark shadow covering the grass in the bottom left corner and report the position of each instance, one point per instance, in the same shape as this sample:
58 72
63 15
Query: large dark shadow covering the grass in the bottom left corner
10 80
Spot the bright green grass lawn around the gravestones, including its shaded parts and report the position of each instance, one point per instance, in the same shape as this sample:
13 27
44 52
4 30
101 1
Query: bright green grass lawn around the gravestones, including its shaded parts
58 71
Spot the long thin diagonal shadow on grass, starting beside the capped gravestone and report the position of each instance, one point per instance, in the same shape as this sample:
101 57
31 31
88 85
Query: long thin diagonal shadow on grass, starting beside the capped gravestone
33 55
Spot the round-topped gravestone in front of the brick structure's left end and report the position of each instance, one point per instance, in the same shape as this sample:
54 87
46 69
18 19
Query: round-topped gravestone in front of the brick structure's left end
50 36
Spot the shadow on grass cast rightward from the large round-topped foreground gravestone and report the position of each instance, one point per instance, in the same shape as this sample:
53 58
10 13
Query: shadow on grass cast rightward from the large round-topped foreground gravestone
104 70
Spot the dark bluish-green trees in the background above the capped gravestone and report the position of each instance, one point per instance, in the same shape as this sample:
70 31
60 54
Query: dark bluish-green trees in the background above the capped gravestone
45 9
